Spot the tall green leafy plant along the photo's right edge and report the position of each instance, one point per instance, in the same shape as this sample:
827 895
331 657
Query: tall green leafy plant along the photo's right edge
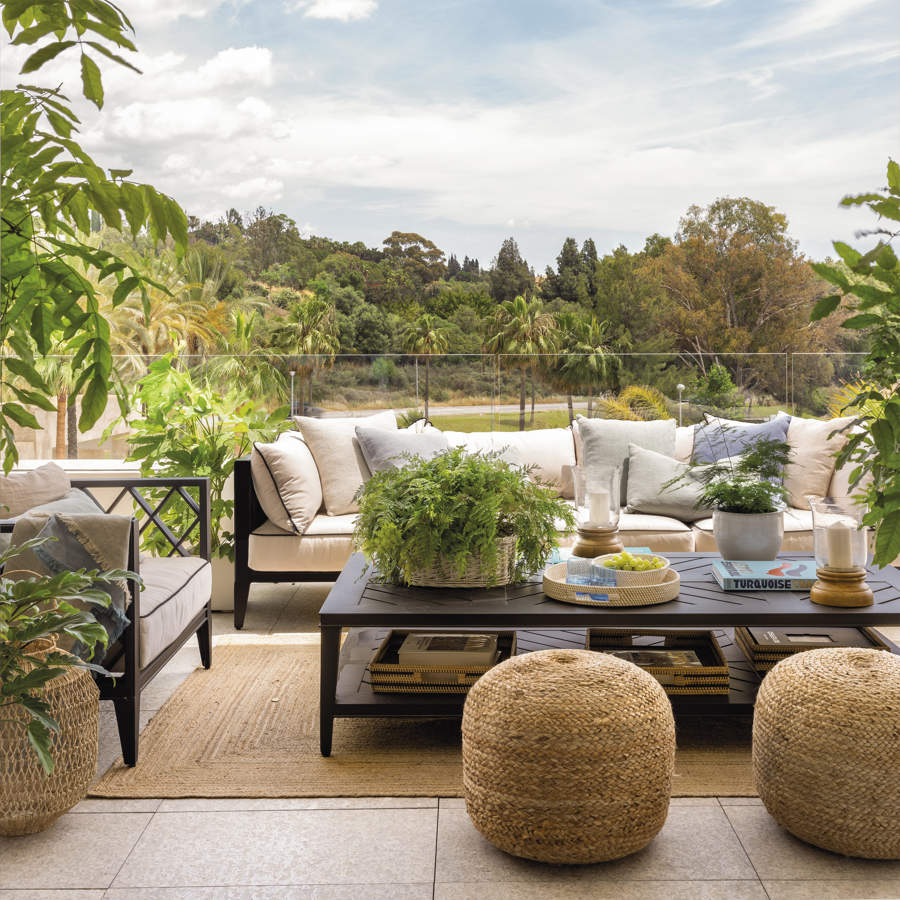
870 292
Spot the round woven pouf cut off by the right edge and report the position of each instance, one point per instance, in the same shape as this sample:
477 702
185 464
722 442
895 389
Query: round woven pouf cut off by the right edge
826 749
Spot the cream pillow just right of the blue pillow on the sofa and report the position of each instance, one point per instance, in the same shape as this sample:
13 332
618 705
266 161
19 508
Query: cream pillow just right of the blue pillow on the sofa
812 457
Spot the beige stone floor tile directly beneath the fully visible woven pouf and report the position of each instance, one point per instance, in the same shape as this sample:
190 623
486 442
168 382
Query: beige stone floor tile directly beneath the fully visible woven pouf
695 844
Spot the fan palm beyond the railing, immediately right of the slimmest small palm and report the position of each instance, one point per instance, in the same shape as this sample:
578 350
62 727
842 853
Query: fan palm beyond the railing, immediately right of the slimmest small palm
523 330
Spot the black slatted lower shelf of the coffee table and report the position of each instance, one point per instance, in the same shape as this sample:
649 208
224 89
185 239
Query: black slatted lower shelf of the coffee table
354 697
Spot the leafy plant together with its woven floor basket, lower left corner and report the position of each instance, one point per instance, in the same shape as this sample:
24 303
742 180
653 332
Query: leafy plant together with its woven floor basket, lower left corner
49 703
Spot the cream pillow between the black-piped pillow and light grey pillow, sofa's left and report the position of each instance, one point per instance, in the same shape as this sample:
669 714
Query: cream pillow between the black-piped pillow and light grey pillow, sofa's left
339 458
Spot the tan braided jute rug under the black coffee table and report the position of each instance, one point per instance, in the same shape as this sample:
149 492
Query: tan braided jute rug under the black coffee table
248 727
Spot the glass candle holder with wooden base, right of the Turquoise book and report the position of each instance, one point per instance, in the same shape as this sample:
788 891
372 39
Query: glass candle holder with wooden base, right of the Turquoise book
841 550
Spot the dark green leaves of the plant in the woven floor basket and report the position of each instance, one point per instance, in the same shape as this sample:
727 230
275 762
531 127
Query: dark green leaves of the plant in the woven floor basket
34 610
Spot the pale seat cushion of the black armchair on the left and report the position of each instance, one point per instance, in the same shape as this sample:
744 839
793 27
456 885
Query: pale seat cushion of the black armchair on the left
176 588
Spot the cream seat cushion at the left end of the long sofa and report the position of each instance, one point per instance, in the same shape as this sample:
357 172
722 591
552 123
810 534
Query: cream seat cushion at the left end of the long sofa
325 547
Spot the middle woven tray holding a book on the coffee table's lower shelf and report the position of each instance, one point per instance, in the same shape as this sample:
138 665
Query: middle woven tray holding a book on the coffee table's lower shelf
683 662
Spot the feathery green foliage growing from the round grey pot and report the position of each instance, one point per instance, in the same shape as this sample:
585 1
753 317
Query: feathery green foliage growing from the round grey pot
746 483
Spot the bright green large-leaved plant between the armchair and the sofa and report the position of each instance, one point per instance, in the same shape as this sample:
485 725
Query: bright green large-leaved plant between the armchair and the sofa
193 430
